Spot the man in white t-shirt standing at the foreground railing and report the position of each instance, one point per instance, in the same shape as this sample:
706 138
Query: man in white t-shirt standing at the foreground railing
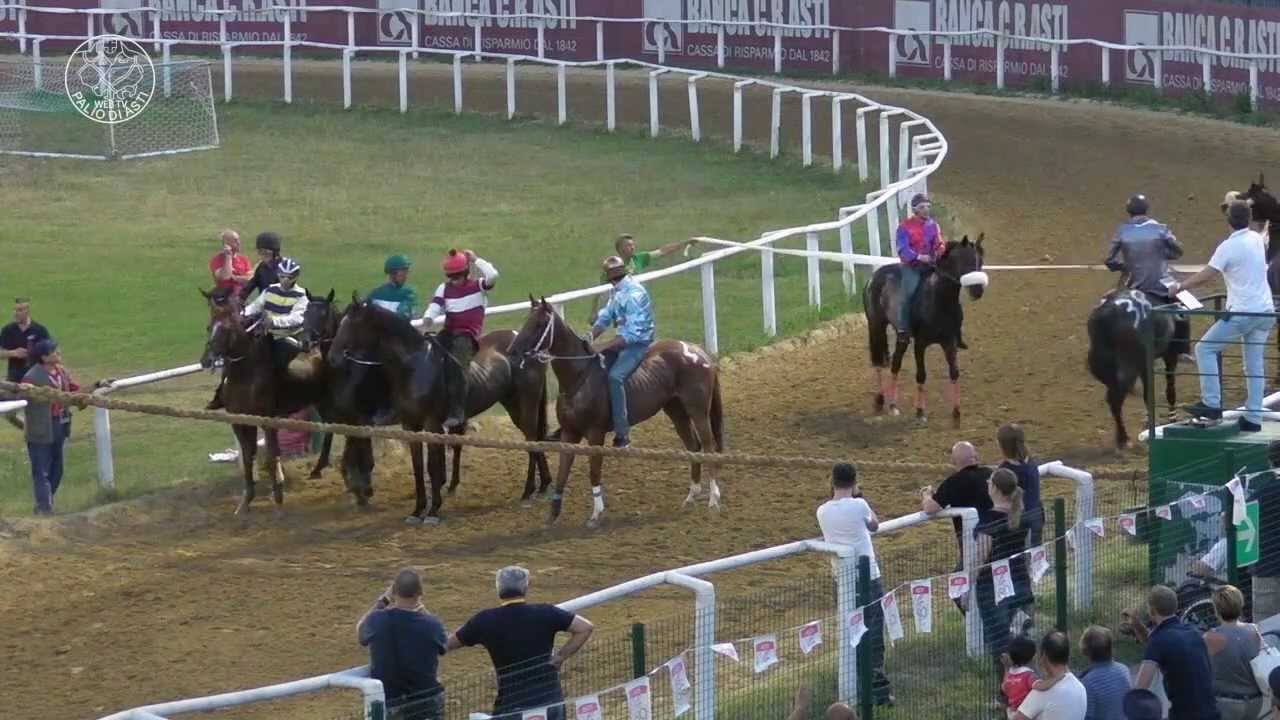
849 520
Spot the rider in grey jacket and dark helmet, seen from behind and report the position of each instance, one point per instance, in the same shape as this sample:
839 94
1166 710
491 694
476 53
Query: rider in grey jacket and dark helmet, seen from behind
1144 248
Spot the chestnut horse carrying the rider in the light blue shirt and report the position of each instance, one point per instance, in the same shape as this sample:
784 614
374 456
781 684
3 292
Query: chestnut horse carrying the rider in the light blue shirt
675 377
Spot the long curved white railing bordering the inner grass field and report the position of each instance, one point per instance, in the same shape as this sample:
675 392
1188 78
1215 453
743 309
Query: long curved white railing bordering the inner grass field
921 148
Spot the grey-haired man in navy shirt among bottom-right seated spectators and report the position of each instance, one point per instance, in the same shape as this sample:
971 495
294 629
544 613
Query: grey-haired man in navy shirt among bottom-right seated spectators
1180 653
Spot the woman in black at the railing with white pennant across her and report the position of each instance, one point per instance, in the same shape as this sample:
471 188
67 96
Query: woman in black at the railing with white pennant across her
1002 537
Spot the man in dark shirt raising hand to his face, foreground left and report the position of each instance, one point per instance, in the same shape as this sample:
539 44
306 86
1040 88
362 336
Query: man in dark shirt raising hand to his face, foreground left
405 646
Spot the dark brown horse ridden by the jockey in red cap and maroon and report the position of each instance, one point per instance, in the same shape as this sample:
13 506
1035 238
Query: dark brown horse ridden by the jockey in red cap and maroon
390 343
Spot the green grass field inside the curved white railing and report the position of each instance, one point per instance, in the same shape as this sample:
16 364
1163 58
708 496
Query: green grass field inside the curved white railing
113 253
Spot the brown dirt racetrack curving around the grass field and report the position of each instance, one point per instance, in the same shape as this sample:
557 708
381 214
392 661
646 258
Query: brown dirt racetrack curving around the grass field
173 599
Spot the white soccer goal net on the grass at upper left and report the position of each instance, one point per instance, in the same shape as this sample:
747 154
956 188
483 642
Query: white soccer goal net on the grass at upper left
39 117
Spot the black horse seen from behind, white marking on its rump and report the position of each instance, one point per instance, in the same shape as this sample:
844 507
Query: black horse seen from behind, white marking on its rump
1118 357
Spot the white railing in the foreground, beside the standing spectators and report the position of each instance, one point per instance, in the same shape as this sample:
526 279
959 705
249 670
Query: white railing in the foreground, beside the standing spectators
693 578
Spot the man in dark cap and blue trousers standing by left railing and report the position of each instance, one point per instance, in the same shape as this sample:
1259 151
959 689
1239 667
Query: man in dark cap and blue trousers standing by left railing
49 425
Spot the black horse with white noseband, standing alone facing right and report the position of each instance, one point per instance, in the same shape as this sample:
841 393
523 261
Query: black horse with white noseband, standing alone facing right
938 318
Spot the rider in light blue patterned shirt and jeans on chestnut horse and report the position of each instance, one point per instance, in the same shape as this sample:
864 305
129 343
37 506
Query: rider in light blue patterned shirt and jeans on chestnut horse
632 312
